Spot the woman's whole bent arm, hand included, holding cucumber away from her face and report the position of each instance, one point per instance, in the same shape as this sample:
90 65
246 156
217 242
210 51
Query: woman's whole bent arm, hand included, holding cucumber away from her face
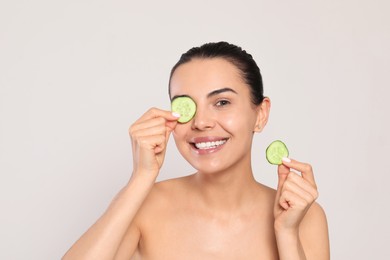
300 224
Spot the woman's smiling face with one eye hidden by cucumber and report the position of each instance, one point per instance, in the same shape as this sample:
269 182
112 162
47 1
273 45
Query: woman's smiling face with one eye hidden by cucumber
220 134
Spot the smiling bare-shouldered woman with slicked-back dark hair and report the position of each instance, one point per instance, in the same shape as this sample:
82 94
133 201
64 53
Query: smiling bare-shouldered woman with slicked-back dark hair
219 212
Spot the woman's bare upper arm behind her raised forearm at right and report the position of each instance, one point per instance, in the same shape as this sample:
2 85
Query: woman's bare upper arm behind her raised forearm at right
313 233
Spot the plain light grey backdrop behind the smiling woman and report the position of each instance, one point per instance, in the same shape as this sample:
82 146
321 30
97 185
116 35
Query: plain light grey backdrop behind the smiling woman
75 74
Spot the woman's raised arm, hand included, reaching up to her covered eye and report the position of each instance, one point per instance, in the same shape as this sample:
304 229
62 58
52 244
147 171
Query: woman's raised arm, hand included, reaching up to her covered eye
149 137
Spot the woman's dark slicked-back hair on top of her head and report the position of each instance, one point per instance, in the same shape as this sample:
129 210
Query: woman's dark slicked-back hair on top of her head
249 70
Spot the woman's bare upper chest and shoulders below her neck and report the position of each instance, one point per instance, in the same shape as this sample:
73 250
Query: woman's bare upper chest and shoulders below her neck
192 229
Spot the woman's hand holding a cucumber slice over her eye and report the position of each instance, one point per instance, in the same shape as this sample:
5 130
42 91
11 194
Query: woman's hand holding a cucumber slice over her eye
149 136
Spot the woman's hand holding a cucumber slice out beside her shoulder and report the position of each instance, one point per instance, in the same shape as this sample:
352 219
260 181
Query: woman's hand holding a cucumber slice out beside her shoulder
295 194
